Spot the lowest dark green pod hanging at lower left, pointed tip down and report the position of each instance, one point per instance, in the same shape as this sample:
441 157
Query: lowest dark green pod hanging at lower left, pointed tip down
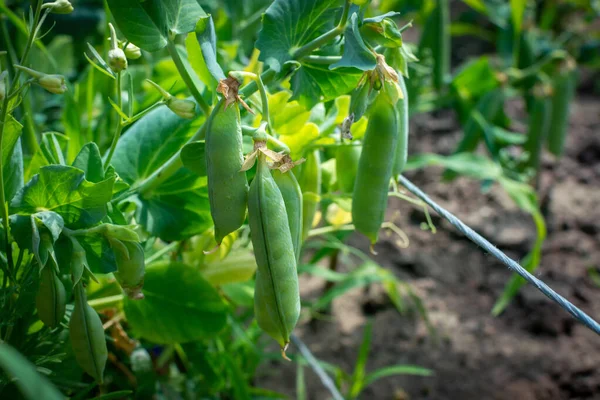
87 336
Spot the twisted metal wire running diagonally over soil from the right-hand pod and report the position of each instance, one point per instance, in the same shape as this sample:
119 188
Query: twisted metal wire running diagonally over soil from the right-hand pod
510 263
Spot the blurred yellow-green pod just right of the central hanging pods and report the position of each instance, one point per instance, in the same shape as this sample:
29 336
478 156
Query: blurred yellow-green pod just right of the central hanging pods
310 183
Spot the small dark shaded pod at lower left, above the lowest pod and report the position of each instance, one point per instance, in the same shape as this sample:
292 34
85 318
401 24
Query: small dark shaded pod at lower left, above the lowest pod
51 299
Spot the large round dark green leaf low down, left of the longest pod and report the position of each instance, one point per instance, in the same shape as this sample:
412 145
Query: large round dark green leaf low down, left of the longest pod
179 306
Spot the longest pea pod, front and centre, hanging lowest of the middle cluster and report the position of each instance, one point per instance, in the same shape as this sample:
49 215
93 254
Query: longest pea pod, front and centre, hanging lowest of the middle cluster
276 293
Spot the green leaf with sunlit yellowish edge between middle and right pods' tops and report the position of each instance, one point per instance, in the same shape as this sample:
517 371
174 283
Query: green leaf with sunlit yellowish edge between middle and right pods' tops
314 83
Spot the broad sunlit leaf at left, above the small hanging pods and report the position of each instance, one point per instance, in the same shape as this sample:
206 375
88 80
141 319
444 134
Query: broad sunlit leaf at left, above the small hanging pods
64 190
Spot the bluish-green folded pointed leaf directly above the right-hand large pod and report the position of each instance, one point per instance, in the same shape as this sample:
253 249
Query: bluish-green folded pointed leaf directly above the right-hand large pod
356 54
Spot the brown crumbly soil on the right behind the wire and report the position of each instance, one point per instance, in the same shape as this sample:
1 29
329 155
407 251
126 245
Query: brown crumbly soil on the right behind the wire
534 350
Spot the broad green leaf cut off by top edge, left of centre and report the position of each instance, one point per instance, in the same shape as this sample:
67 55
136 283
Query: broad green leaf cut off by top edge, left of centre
150 24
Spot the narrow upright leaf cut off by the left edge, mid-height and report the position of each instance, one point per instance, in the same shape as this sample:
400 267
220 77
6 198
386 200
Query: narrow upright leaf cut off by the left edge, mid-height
12 157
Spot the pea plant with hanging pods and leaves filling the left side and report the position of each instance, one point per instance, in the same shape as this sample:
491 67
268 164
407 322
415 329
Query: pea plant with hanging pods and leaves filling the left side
153 228
